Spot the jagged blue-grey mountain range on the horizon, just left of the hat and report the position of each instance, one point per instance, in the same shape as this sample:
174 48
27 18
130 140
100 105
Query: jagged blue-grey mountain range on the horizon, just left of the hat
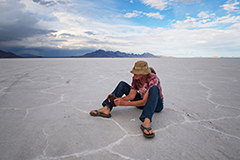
104 54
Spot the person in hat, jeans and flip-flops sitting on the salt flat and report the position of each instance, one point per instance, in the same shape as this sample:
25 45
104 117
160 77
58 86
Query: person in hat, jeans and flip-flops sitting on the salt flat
145 93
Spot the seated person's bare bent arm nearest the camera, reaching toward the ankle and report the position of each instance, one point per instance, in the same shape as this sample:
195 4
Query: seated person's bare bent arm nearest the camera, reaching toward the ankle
125 102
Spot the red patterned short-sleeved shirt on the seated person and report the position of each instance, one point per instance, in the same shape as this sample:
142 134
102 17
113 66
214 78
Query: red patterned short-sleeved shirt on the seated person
152 80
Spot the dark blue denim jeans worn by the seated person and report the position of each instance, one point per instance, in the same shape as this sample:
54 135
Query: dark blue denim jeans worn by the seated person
153 104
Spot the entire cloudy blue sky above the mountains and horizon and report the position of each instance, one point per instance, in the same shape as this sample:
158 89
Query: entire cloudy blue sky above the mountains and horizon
179 28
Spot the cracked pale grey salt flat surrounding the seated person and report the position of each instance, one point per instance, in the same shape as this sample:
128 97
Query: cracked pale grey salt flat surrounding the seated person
45 105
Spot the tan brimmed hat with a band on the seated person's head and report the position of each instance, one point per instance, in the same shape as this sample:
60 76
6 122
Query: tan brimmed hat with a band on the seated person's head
141 67
